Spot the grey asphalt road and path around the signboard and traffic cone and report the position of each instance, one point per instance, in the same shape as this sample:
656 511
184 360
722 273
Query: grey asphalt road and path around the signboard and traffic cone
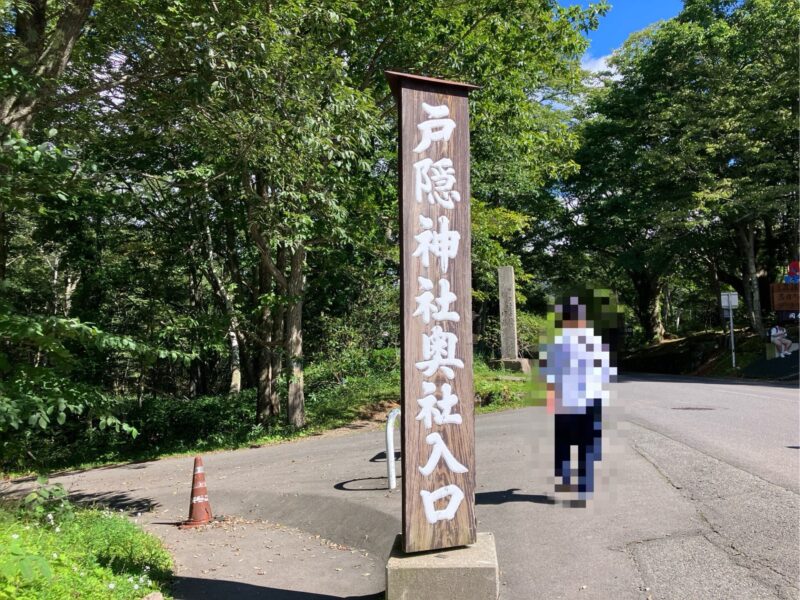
697 498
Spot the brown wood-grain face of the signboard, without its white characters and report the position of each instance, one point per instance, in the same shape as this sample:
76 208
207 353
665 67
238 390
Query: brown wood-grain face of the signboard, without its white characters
418 534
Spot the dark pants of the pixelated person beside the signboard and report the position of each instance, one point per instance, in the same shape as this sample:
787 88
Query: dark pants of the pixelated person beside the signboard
585 432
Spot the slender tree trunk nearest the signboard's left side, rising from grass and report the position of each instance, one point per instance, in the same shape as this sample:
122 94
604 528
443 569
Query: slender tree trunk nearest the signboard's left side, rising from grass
294 339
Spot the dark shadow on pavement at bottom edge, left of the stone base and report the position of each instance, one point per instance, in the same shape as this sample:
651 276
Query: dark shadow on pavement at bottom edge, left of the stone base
193 588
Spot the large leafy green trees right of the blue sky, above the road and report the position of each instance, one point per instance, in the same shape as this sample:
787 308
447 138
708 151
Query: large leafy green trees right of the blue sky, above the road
688 155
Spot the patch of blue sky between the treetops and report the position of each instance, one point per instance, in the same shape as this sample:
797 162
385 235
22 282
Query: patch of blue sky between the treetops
624 17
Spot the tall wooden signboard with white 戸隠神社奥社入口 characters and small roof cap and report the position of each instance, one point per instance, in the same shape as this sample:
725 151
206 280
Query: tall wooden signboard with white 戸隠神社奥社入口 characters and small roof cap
437 390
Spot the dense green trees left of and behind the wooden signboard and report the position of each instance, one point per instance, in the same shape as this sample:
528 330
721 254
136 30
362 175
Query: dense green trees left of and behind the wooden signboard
219 179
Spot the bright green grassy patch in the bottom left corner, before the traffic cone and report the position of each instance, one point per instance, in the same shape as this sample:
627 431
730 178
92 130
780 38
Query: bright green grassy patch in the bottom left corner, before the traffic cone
79 553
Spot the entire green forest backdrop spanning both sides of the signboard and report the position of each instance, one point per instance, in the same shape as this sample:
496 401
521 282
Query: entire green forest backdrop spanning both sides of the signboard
198 200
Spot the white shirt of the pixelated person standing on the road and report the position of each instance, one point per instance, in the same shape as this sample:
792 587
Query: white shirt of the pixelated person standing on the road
579 365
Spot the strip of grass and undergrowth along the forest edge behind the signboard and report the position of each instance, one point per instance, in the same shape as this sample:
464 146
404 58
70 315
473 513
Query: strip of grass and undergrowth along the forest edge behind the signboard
337 394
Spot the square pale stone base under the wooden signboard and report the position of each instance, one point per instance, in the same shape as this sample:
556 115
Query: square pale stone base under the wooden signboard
467 573
